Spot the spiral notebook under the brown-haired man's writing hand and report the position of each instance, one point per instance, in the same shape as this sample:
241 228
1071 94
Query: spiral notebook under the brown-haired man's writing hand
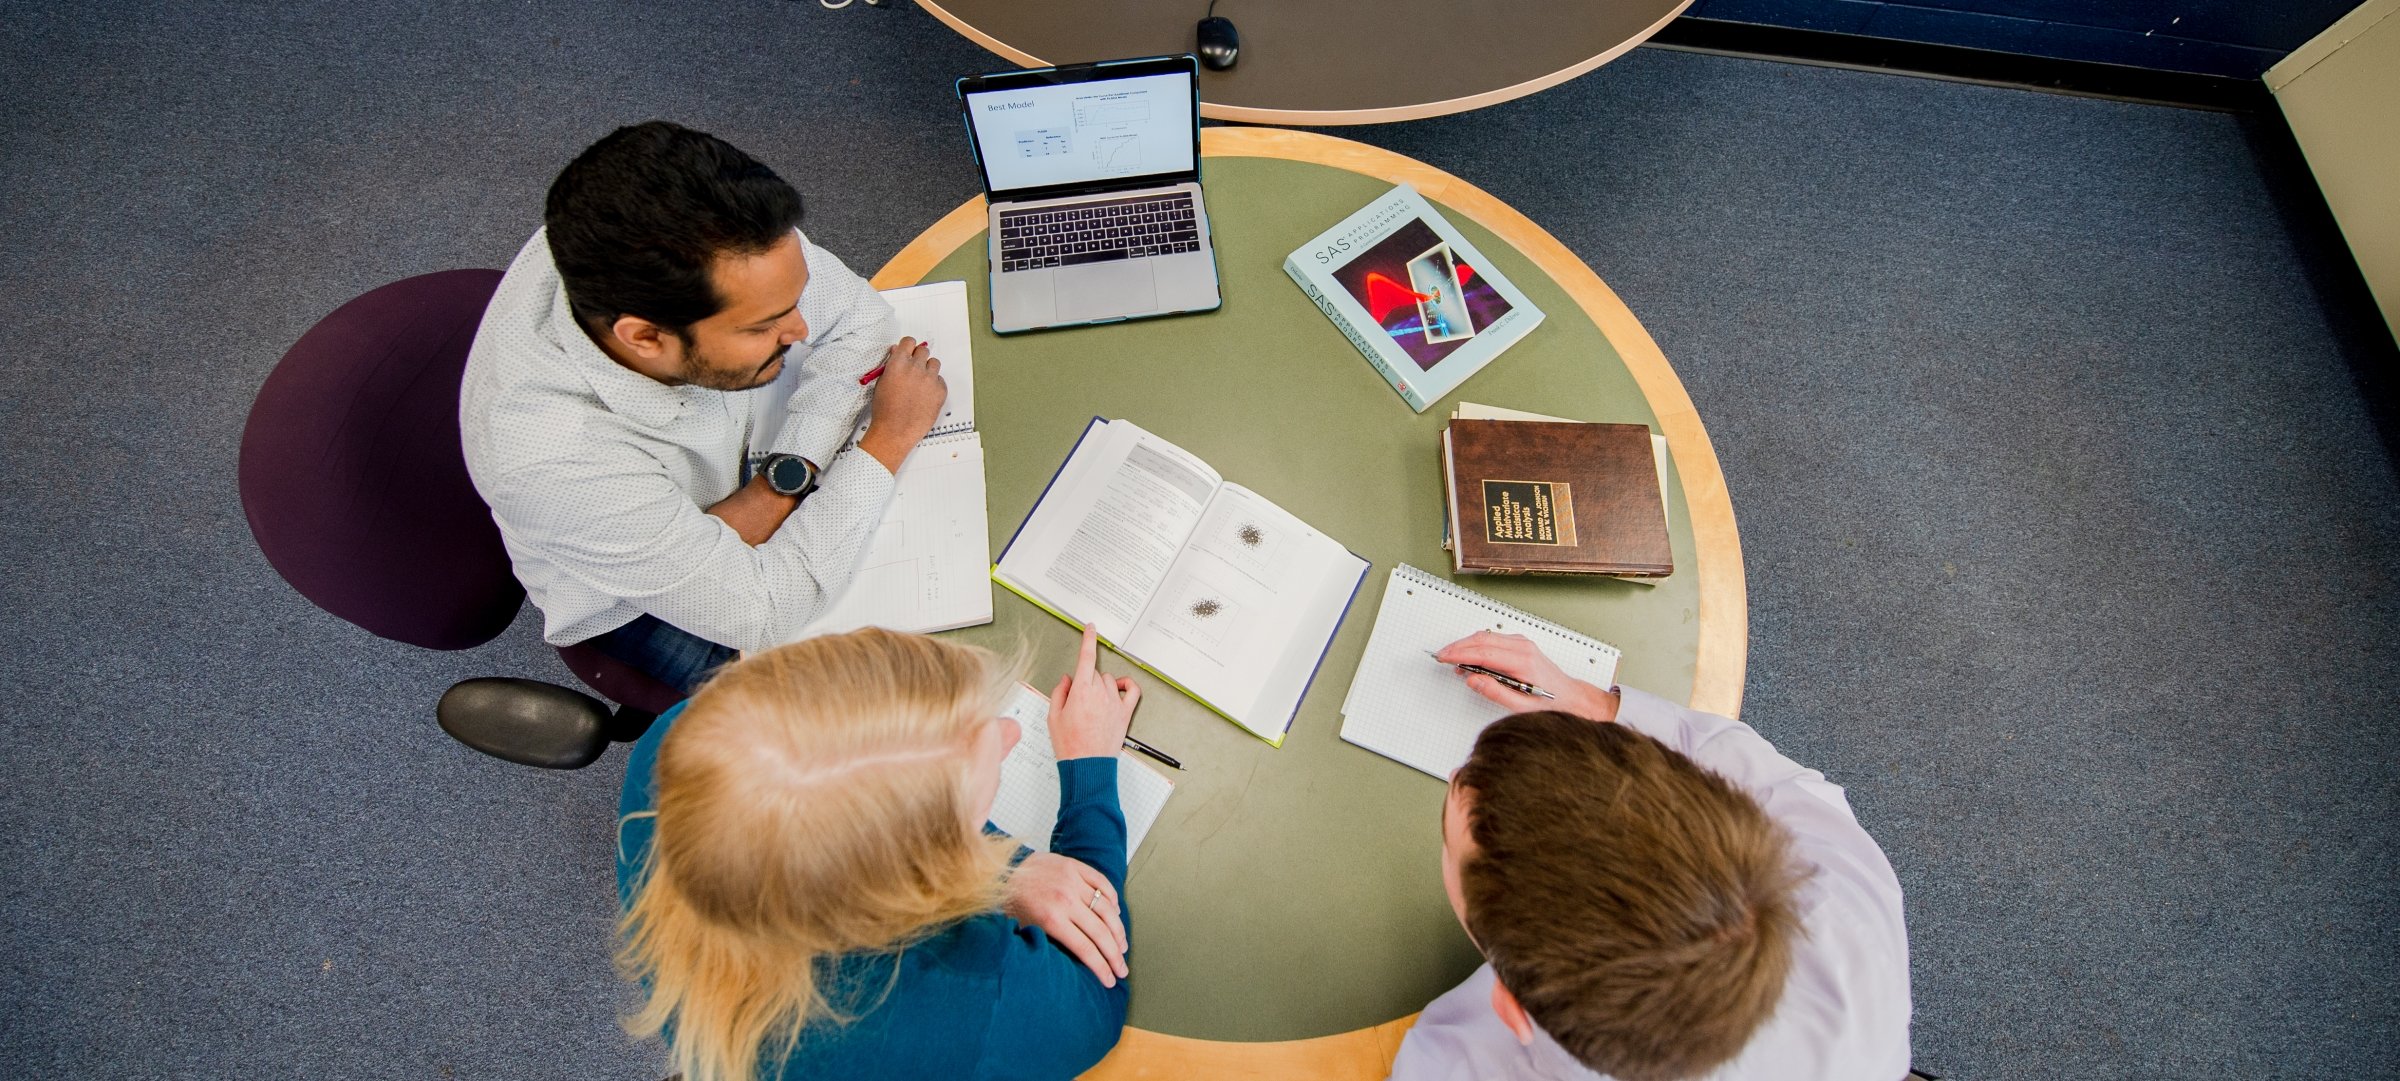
1420 712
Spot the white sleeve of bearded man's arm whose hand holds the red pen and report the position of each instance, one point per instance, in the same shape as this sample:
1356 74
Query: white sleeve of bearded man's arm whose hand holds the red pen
632 534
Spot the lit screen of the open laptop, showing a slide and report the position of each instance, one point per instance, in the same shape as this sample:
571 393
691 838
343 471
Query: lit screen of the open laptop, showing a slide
1084 129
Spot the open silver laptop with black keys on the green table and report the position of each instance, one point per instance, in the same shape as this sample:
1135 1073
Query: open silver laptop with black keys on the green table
1093 177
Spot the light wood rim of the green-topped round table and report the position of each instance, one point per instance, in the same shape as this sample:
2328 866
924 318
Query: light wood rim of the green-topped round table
1724 602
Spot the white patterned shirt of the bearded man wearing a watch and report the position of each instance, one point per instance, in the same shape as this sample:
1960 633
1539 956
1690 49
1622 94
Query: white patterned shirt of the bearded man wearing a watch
601 477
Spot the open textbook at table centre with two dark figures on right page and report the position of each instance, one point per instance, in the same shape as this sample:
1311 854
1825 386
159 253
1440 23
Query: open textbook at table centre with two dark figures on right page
1201 583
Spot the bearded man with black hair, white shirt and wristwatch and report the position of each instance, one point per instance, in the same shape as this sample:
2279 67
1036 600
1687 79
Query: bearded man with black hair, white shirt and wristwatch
666 489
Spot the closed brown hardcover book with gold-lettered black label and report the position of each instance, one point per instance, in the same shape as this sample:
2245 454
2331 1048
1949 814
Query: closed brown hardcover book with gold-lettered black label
1554 498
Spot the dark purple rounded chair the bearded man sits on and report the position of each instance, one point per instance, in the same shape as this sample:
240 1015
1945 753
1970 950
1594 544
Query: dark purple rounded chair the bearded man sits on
356 486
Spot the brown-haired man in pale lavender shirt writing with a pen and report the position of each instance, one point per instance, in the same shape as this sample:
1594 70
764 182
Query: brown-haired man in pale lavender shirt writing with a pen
1660 897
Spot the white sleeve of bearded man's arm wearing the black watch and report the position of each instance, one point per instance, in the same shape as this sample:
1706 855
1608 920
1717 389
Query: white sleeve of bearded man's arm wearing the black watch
851 328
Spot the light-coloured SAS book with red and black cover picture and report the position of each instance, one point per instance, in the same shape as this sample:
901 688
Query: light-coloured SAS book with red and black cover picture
1412 294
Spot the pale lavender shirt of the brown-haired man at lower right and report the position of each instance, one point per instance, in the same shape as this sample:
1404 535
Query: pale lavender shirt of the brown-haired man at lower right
1844 1013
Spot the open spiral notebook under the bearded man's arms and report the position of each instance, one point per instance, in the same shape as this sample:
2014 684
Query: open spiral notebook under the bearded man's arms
930 561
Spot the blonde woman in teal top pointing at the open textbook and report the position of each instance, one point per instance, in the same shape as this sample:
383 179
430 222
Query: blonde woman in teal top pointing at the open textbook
812 890
